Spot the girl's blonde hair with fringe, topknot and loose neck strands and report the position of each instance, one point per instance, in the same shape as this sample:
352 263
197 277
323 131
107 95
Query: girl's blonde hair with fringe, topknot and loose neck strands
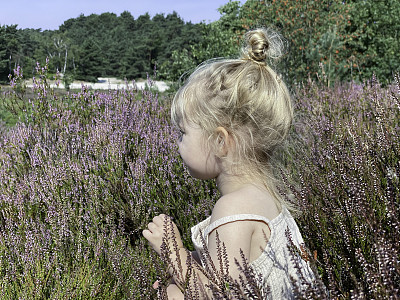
246 97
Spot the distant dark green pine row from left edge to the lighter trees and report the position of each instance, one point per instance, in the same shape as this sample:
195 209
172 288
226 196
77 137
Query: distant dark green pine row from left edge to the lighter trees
91 46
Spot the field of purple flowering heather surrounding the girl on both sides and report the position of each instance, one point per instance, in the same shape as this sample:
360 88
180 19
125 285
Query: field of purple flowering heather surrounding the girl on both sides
81 174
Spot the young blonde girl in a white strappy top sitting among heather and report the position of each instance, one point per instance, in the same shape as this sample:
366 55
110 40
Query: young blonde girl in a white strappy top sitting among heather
233 114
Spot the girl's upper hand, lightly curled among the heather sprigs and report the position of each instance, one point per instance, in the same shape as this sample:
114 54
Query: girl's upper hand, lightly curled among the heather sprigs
162 228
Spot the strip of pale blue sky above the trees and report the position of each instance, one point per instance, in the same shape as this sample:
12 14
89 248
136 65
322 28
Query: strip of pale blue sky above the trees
49 14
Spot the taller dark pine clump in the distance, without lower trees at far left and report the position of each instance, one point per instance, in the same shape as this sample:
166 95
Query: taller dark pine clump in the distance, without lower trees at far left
124 47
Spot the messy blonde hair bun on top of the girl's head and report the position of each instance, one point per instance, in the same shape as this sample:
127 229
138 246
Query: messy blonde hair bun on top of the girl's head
262 44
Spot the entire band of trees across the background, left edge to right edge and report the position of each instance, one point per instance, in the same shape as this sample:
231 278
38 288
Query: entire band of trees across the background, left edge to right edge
328 40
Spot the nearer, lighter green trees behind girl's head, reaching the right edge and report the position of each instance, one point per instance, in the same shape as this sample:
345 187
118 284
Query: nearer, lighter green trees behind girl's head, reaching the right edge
329 41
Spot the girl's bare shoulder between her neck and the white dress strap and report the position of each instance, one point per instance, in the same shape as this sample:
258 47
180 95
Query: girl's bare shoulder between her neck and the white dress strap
249 200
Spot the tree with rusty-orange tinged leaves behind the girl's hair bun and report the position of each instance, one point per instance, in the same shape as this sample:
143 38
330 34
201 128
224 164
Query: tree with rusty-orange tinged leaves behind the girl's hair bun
315 31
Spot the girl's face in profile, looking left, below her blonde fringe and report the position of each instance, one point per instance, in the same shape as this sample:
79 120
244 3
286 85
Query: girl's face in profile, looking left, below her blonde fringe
200 161
